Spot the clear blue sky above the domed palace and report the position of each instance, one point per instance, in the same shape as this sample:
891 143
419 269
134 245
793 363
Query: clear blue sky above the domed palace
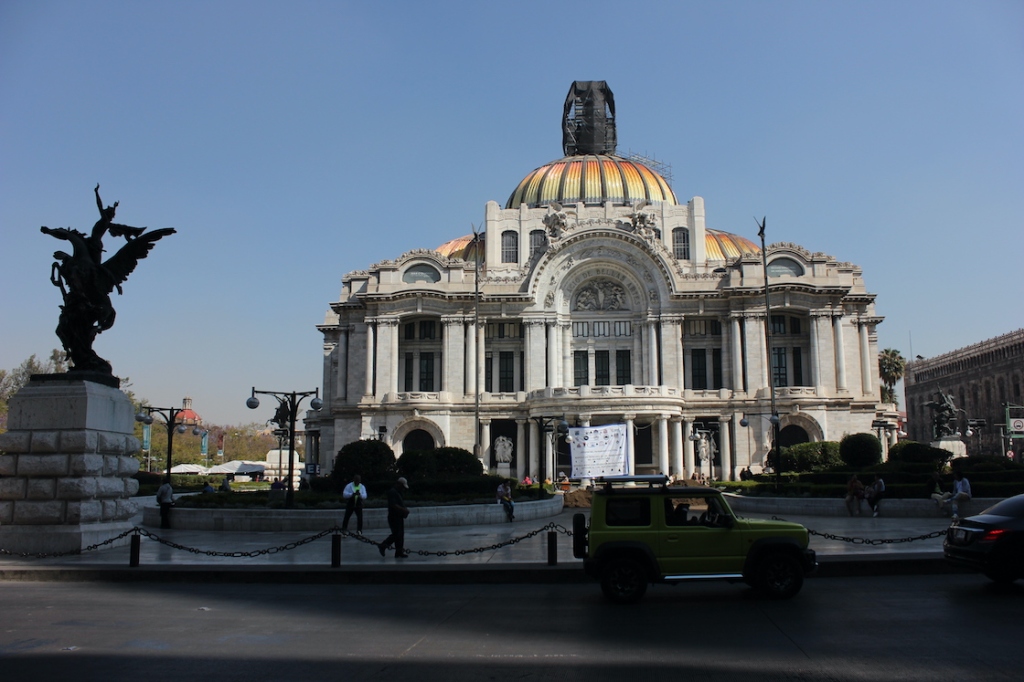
291 144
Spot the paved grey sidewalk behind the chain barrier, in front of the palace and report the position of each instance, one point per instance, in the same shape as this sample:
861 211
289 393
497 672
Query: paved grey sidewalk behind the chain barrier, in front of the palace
526 560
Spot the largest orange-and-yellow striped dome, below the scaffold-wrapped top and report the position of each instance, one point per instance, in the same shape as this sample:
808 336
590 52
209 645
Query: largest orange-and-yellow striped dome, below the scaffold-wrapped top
592 179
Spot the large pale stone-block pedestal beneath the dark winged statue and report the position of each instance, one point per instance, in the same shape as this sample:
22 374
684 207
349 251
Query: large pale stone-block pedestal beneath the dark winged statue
66 467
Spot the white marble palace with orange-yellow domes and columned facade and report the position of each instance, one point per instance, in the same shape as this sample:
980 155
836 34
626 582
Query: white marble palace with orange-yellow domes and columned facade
593 295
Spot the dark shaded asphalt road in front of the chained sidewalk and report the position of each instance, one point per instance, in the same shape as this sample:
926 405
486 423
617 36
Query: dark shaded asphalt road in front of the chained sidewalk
952 627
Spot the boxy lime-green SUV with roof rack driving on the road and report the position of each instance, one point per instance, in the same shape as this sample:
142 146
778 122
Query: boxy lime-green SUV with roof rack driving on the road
645 531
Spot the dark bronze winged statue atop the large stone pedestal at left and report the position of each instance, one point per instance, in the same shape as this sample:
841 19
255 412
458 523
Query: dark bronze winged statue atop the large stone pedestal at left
87 282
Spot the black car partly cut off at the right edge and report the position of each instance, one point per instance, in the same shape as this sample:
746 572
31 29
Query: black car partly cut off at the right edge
992 542
